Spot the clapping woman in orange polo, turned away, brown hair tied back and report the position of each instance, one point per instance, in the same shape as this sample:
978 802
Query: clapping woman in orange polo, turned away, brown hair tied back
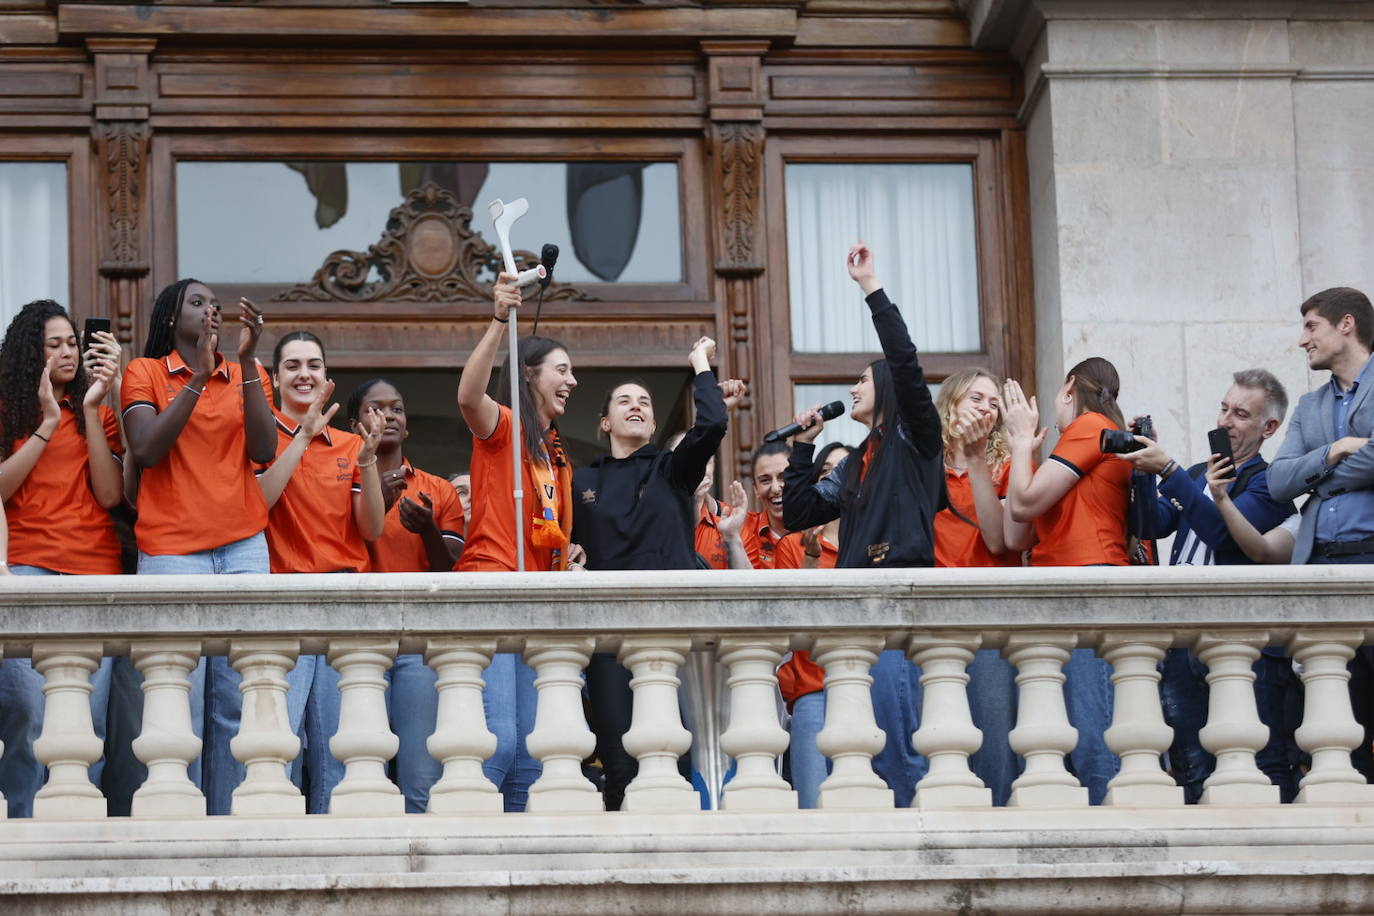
1078 502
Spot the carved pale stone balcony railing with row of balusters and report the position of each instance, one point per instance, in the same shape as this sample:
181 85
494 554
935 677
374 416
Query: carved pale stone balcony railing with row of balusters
1239 851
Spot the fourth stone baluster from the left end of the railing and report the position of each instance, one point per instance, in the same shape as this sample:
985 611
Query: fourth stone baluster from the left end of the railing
365 742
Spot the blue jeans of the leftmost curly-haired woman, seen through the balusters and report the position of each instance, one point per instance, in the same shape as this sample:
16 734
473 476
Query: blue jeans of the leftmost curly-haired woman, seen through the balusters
21 722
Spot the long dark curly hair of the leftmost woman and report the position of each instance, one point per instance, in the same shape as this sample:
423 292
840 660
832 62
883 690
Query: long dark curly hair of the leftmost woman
21 365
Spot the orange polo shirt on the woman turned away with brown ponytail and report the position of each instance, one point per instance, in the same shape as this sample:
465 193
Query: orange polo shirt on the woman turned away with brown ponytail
1088 527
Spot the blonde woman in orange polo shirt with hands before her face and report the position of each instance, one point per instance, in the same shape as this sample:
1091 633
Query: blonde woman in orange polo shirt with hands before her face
976 531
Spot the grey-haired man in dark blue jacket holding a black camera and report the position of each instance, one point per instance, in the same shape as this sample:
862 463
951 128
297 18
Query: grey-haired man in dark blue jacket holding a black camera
1252 411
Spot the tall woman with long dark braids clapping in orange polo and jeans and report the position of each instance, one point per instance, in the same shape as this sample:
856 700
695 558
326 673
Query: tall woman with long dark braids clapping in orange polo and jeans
197 424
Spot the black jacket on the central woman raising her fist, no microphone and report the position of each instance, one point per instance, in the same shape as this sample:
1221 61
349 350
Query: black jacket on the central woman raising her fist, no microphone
638 513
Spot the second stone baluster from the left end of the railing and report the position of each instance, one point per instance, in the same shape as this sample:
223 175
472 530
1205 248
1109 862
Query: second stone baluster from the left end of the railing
167 744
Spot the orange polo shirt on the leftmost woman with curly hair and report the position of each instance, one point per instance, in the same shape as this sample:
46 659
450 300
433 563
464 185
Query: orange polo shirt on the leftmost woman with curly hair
54 518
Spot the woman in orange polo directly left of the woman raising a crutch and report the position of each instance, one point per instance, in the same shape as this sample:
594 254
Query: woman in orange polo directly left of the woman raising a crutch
423 535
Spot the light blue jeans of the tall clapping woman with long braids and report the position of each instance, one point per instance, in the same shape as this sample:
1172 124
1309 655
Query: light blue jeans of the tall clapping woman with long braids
215 771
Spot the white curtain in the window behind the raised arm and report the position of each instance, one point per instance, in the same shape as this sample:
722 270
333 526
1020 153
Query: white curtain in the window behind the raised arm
917 219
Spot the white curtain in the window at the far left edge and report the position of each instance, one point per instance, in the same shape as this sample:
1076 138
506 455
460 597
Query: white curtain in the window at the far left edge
34 236
